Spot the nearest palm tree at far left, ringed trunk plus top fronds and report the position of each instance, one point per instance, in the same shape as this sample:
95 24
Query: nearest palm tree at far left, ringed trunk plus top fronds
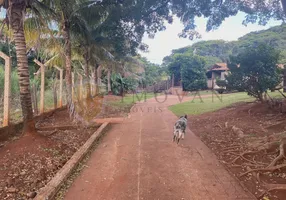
16 12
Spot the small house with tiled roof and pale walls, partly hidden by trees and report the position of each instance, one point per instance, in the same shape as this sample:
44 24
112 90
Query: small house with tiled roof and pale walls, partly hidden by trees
217 72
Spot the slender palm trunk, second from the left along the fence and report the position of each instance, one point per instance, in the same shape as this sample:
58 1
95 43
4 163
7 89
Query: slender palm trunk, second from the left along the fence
67 49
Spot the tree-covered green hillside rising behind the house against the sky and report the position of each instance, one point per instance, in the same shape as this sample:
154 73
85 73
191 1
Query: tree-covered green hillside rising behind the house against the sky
219 51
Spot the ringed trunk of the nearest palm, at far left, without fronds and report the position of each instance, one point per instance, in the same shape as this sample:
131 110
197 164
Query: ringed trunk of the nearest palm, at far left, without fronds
17 14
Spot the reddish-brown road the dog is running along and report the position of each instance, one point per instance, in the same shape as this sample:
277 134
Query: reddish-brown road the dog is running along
137 160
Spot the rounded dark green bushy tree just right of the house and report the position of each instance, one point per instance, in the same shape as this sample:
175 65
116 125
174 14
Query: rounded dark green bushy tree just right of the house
255 71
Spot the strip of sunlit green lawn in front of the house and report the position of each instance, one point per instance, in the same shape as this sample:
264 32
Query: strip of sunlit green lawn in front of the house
209 104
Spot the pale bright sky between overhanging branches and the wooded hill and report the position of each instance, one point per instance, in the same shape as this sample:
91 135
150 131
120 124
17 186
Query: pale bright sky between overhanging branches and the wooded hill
230 30
